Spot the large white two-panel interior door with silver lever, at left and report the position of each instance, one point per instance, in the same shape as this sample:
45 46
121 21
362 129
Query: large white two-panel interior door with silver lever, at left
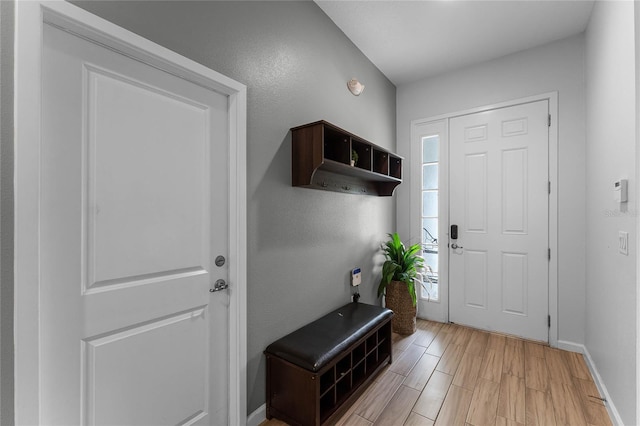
133 210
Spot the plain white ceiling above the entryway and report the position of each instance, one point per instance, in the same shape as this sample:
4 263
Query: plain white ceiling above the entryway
412 40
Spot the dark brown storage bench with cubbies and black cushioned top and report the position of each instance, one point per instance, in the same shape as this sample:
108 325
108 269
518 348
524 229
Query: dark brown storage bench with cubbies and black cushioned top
317 371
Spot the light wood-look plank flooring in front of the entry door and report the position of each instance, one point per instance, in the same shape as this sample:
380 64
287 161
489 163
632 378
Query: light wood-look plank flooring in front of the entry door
445 374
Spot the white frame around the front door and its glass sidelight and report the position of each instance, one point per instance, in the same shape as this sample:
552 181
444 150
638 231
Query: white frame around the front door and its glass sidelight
416 125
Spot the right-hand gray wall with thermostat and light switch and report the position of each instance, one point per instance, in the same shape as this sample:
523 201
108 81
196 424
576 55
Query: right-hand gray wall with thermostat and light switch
611 155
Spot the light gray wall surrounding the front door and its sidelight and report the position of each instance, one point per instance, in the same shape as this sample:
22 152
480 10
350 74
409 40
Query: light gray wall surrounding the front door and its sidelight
558 67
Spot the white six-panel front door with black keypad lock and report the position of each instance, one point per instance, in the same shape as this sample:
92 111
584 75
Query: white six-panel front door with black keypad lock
499 198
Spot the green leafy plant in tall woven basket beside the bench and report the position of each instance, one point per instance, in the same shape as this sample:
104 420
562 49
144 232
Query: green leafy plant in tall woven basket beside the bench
400 272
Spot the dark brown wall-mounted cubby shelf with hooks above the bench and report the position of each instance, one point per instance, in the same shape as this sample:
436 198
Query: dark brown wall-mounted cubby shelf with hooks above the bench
321 159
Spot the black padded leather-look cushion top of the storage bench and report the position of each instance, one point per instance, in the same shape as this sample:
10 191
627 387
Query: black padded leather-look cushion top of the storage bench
314 345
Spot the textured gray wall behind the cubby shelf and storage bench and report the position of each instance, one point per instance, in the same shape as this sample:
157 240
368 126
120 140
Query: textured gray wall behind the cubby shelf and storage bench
295 62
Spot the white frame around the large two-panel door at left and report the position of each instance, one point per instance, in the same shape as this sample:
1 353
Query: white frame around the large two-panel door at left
30 17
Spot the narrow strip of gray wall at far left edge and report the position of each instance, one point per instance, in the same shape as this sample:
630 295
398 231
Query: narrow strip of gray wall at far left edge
6 212
